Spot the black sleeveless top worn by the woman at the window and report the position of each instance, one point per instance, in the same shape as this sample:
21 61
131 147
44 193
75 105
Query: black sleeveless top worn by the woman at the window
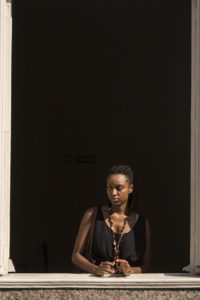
132 246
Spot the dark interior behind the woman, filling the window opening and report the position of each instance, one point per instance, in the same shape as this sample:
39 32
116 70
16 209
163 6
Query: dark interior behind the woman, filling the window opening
97 83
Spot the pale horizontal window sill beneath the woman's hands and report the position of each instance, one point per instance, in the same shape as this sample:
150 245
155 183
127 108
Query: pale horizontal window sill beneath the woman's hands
85 281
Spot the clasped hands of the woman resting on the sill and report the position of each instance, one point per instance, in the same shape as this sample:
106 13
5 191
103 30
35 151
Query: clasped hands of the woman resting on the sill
107 267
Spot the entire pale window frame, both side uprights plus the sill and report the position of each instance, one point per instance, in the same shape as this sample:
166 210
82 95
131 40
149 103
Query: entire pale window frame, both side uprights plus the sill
5 146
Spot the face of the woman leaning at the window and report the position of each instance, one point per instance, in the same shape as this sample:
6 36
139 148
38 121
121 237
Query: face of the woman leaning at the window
118 189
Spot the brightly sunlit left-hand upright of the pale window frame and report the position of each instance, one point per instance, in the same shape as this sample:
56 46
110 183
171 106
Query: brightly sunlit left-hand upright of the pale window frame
5 131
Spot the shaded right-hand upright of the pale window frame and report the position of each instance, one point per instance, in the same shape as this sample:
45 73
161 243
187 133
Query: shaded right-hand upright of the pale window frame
194 266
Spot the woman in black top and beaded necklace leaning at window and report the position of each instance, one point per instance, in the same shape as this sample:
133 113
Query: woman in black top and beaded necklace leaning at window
121 242
